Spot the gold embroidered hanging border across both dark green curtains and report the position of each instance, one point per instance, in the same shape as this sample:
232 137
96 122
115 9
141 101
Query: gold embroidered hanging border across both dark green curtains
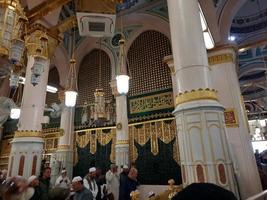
141 133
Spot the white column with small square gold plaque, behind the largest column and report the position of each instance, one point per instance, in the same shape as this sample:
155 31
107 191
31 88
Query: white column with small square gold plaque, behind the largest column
223 69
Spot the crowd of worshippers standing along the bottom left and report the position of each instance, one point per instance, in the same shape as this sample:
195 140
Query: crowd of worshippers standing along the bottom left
114 185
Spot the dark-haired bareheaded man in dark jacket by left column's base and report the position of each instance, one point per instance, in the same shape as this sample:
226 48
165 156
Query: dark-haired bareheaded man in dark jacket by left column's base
45 184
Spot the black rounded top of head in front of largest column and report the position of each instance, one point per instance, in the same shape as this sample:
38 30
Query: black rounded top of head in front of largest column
204 191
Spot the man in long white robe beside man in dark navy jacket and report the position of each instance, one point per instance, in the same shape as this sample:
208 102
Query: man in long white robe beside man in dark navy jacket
113 181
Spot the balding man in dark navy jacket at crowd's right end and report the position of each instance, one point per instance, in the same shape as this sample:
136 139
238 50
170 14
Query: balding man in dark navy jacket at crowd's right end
128 185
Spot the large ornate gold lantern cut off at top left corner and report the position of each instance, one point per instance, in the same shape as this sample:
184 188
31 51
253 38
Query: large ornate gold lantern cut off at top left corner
11 19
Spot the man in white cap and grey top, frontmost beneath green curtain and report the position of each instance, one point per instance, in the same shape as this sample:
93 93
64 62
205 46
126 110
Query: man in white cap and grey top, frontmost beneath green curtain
81 193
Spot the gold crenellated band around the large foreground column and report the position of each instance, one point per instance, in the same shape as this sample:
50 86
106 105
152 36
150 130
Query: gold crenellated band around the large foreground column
194 95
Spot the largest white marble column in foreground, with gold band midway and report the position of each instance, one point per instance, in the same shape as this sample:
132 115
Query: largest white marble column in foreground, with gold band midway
199 117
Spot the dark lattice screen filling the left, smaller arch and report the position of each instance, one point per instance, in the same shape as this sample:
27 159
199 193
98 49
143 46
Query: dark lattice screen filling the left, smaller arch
88 76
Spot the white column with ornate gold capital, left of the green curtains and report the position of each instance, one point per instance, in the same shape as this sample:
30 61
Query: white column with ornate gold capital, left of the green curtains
27 145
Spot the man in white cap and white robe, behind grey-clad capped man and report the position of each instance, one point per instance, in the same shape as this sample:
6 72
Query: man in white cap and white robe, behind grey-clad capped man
90 182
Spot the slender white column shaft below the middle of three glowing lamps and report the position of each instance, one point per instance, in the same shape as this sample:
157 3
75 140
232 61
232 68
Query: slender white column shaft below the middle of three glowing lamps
64 154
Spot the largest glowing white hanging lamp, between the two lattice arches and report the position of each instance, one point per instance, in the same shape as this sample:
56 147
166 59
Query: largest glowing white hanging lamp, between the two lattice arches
122 77
